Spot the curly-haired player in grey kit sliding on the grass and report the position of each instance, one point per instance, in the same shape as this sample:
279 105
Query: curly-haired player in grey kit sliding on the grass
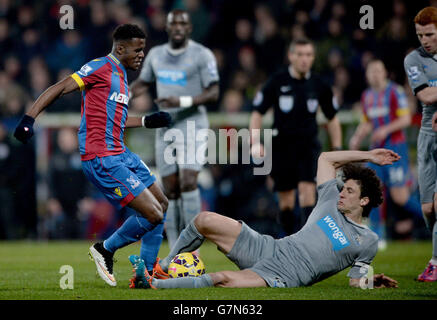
333 238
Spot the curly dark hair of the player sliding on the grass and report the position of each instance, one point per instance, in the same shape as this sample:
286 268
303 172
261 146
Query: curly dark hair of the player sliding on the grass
369 183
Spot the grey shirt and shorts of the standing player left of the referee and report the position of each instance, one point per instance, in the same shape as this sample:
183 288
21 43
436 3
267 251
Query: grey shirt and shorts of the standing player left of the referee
184 74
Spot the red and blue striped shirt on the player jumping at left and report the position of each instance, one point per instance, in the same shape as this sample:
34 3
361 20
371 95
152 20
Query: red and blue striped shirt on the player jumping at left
104 107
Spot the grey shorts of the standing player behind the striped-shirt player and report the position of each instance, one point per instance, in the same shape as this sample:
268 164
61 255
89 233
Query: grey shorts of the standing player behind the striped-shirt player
177 147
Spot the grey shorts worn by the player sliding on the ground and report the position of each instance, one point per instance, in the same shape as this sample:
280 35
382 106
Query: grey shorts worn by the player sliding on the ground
252 247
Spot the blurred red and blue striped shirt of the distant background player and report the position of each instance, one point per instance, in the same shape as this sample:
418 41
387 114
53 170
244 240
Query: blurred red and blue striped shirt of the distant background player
383 107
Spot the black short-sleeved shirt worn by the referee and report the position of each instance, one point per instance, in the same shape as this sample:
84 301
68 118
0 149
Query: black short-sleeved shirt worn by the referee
295 102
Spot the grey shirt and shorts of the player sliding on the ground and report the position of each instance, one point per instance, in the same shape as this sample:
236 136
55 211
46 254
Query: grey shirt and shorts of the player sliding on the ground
328 243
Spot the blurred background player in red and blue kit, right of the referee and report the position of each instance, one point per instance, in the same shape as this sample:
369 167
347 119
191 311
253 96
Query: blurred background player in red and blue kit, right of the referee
385 116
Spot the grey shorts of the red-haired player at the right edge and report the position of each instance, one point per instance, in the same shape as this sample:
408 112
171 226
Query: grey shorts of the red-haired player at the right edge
427 166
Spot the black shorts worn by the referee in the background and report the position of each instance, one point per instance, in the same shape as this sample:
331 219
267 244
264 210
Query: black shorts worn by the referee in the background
294 160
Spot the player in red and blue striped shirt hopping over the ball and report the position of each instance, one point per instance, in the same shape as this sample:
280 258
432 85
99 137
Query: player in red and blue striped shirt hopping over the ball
119 174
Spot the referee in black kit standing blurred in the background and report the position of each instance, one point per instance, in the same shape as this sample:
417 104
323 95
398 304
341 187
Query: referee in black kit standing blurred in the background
295 94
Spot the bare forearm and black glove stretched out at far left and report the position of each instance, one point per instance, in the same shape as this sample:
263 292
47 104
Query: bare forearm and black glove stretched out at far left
24 130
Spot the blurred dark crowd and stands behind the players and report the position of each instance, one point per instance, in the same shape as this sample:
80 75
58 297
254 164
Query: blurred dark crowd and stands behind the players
43 193
